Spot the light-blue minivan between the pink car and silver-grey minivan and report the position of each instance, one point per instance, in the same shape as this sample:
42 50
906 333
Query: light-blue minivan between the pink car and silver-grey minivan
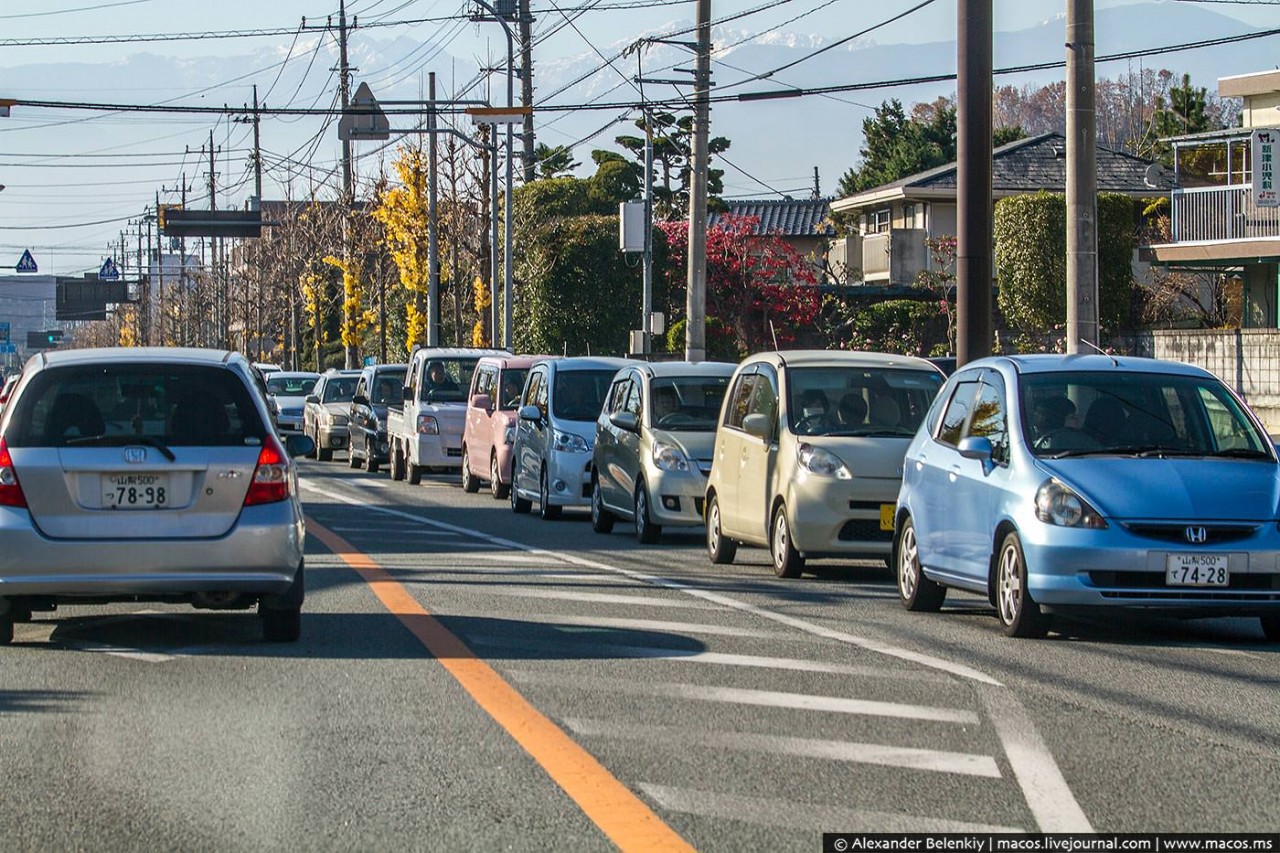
556 434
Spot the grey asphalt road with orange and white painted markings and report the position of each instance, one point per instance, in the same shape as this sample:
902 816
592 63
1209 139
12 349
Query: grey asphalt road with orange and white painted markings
470 678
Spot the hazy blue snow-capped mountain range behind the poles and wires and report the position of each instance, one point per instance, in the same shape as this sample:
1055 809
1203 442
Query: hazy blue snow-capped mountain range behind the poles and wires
775 143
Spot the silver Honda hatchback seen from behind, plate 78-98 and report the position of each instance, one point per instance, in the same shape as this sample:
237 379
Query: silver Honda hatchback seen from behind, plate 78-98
148 475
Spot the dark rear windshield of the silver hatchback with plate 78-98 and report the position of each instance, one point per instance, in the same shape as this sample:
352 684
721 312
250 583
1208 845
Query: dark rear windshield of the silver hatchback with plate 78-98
124 404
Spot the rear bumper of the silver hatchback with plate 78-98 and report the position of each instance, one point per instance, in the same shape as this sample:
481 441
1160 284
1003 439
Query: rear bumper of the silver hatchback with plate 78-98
259 555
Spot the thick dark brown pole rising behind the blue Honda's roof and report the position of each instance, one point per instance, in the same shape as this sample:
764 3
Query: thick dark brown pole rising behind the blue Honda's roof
975 230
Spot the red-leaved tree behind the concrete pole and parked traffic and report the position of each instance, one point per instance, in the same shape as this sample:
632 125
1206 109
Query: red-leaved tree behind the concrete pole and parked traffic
758 286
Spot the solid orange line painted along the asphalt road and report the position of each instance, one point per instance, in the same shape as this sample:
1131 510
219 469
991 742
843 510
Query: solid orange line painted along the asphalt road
623 816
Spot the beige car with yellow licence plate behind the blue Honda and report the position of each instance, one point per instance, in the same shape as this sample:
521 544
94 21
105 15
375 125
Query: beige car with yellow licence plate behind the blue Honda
808 455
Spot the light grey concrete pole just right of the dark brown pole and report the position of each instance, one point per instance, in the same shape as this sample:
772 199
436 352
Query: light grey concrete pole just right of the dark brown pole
1082 181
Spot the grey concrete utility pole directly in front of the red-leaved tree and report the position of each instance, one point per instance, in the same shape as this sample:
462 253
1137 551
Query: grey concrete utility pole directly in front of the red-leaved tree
696 305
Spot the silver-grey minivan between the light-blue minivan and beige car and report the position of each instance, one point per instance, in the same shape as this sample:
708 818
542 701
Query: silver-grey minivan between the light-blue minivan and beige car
653 446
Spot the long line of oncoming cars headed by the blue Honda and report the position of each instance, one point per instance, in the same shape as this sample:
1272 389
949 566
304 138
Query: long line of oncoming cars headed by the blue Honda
1046 483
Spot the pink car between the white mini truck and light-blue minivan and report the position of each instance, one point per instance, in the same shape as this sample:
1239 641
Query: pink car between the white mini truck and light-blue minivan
497 386
